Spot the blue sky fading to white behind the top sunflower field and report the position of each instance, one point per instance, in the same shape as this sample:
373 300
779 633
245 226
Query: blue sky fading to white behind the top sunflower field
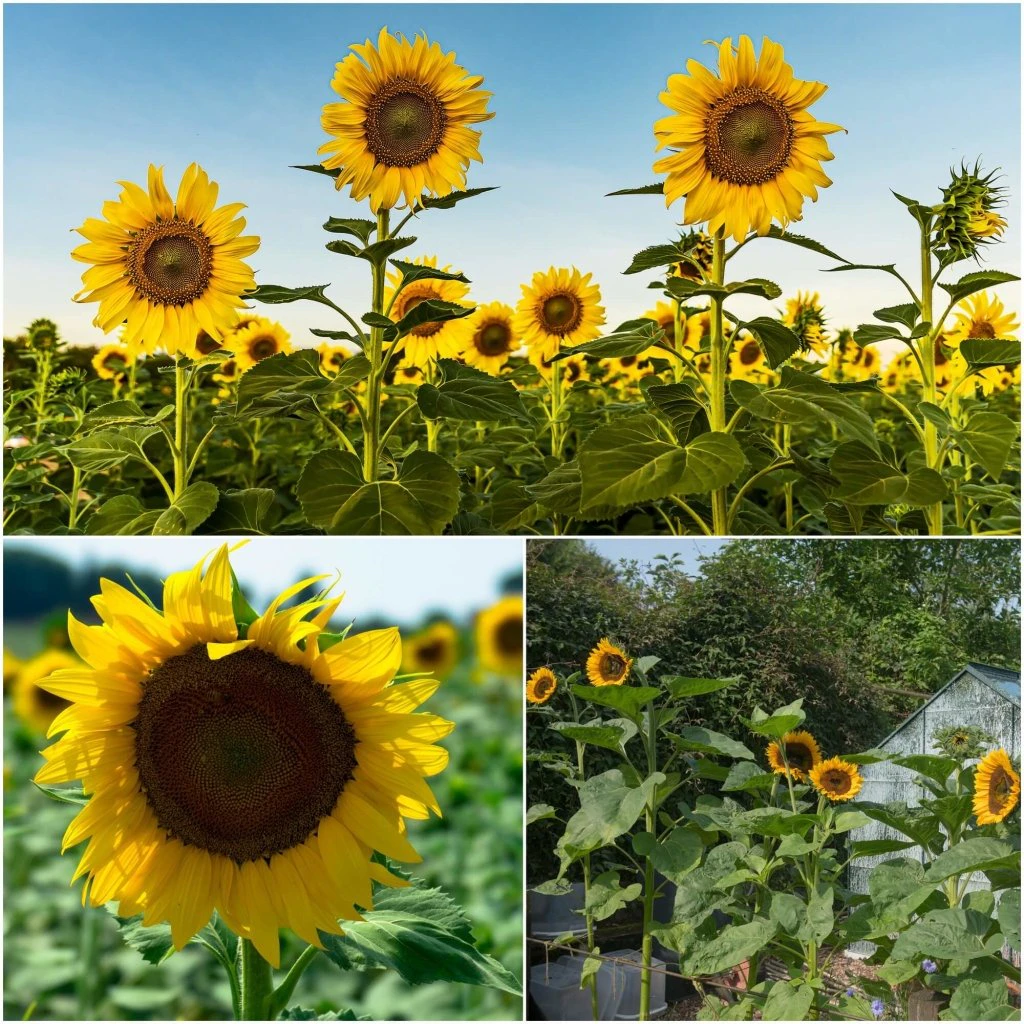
94 94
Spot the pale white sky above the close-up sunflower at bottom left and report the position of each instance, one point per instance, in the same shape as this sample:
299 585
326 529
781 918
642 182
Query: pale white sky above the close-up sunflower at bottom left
402 579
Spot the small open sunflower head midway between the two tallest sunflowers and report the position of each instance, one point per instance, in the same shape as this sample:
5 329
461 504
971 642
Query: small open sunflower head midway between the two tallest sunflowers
560 309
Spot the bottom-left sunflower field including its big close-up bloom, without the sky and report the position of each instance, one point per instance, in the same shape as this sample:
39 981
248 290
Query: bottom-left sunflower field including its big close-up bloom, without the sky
444 930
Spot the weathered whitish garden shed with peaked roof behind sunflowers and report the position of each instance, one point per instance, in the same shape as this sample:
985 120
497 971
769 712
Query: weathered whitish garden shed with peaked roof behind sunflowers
979 695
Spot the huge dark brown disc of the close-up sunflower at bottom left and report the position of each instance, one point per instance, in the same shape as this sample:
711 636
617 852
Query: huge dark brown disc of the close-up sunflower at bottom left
243 756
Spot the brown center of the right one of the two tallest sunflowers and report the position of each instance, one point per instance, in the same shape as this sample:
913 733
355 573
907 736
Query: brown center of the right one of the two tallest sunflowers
748 137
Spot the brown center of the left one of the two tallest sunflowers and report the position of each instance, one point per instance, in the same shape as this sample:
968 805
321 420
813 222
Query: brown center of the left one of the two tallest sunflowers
405 124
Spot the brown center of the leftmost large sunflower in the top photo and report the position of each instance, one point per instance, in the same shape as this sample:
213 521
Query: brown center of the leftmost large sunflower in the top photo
170 263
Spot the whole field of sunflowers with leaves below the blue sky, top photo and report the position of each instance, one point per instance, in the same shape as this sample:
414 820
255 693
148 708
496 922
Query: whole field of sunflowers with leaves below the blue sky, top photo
436 410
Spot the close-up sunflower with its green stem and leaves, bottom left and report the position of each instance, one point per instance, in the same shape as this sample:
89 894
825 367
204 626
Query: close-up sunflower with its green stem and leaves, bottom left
273 831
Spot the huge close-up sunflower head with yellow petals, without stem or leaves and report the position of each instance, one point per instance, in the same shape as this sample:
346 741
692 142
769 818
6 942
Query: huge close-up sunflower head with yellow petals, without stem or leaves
254 775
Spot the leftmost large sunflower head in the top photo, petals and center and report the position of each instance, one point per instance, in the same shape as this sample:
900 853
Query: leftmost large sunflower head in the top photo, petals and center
165 268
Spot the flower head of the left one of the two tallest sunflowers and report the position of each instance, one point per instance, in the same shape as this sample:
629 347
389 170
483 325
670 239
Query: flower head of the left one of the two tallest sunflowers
403 127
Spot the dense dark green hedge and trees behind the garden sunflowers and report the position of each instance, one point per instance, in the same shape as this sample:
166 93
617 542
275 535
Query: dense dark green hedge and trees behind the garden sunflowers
863 631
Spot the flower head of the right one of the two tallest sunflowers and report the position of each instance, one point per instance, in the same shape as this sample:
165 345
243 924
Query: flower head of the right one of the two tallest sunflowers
746 150
